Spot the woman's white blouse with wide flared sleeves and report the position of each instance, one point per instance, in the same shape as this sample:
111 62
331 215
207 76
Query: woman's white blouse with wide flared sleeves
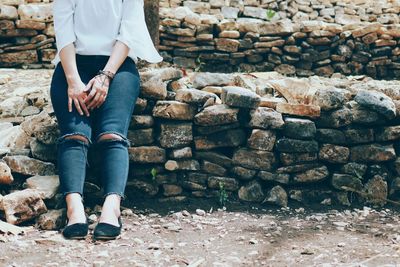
95 25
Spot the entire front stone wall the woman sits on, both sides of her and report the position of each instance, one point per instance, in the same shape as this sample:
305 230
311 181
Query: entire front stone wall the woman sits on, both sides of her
259 137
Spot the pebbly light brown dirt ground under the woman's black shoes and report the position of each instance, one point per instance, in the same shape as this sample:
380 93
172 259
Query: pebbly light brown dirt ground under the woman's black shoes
246 236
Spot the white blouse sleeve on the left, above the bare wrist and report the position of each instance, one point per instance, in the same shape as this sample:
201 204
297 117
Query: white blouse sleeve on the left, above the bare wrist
63 13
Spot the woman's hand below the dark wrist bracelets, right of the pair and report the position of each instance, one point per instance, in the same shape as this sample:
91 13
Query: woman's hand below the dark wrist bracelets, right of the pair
98 87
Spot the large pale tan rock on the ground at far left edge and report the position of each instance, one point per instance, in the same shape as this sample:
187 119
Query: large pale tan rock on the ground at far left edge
21 206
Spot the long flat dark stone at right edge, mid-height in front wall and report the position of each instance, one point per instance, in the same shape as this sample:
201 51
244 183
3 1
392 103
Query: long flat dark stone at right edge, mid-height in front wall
372 153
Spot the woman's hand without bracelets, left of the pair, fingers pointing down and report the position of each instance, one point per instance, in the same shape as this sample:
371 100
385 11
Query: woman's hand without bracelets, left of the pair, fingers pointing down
77 94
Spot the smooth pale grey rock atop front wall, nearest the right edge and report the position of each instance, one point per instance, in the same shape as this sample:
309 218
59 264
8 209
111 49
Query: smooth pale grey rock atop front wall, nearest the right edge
378 102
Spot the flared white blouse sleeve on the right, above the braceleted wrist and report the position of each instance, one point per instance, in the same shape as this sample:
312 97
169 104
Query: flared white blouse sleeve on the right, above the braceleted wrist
134 32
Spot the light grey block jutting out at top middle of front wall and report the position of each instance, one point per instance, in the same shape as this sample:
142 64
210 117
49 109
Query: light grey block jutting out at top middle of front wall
239 97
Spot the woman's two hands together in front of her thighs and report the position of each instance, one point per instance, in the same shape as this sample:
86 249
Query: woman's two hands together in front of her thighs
90 96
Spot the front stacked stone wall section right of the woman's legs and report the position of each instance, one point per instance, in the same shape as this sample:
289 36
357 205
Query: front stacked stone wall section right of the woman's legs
220 132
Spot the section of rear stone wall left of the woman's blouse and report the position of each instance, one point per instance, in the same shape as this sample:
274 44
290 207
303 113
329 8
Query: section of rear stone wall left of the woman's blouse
27 33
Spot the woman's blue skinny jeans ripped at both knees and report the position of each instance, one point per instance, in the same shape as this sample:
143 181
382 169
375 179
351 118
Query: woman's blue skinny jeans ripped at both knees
112 117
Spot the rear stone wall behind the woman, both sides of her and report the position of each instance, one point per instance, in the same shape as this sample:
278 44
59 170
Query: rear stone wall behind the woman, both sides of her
300 37
